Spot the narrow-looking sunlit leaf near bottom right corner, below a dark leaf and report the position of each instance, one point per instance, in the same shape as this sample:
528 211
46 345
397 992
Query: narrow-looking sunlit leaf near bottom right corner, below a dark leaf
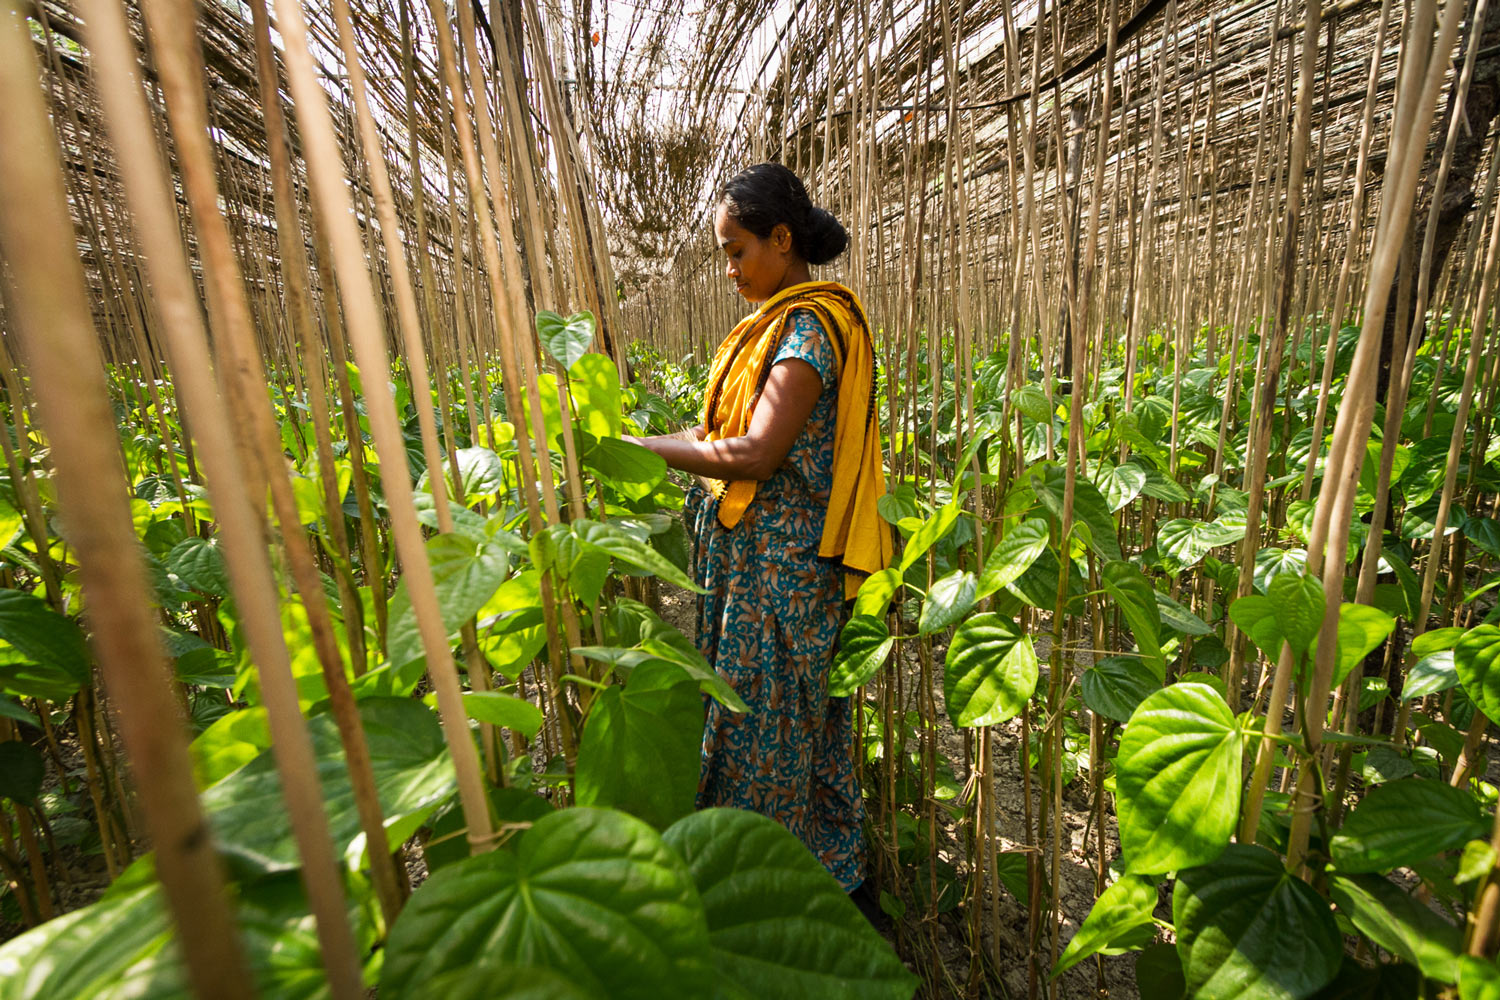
1391 918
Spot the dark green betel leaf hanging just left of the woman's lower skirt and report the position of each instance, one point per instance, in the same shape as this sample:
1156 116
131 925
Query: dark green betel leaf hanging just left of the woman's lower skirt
641 746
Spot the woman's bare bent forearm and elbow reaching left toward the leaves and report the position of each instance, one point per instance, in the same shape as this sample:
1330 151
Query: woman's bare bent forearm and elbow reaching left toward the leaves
781 415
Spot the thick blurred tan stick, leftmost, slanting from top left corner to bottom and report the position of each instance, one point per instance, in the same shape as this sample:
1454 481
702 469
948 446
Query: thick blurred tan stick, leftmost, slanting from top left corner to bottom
50 307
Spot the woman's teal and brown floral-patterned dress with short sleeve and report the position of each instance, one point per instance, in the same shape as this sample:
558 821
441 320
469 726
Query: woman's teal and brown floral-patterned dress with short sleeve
770 626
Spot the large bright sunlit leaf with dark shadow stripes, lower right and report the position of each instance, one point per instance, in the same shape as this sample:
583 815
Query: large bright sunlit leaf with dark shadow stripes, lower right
1178 780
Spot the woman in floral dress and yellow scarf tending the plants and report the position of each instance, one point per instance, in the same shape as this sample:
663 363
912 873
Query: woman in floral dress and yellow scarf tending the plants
785 519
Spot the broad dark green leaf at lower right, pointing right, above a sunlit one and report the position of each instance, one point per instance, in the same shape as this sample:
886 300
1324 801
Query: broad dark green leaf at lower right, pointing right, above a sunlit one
1403 822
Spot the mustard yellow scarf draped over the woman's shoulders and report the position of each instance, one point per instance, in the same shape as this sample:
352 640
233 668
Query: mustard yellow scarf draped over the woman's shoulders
854 528
